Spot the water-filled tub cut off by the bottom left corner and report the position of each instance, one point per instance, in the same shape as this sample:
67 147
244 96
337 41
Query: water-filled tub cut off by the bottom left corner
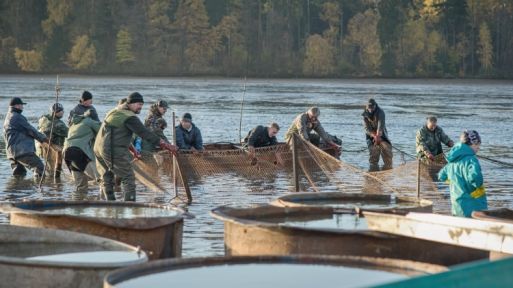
37 257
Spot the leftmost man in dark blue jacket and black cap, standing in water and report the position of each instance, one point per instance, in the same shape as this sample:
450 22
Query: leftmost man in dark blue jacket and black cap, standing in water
19 138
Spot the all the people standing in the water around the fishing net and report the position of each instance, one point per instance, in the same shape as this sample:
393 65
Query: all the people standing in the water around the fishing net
98 150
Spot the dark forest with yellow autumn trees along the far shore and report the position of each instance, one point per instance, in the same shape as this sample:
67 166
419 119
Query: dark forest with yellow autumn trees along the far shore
259 38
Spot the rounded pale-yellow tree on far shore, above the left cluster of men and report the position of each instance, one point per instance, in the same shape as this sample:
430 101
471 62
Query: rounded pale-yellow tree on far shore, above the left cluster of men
82 55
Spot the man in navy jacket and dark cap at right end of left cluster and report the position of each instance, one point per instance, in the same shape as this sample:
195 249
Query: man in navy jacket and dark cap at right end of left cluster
188 136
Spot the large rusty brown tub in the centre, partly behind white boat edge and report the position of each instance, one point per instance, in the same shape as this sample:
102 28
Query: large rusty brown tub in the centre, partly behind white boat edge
255 231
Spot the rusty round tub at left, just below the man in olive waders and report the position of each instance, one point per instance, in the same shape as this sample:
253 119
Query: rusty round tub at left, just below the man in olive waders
160 236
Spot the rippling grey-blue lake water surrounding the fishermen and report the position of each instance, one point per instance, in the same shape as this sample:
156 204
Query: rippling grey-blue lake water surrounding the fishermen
215 104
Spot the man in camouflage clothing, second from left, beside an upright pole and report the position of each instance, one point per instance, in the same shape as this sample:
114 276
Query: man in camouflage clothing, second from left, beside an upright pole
57 134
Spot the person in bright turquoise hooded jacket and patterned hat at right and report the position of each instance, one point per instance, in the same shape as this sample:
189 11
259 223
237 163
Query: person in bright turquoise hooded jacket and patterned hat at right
463 172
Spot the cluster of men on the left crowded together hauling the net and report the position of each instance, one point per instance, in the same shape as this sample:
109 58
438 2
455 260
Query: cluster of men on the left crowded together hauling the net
91 149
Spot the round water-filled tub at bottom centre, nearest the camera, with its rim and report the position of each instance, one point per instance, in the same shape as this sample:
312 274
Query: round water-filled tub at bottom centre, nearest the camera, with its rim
268 271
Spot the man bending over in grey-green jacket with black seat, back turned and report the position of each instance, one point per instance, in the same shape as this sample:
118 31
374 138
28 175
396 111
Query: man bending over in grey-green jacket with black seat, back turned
78 151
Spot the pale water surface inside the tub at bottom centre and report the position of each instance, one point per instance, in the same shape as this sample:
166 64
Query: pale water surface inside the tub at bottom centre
265 275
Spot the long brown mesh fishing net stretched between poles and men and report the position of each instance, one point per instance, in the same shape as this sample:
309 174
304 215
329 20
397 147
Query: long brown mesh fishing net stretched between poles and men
317 168
